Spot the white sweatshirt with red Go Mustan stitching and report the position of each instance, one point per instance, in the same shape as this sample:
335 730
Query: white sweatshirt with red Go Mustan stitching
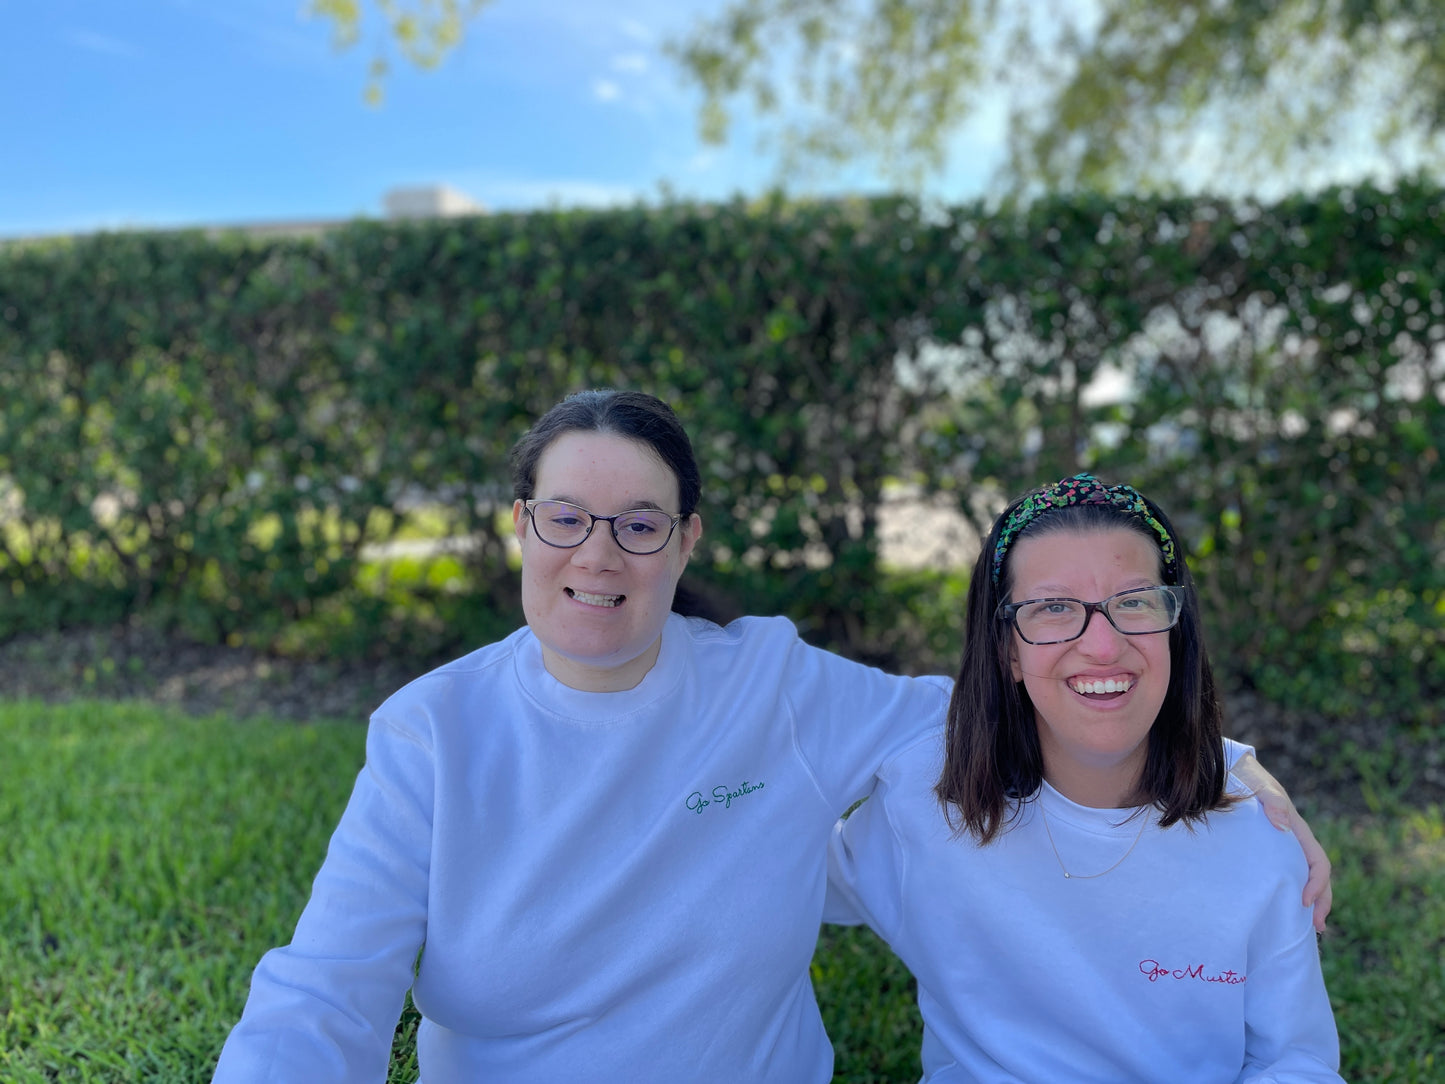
1191 962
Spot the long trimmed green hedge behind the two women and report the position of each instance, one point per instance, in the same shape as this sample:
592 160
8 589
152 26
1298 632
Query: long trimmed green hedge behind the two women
209 431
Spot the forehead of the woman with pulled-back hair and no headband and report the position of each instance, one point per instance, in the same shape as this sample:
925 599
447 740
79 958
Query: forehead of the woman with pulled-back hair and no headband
608 469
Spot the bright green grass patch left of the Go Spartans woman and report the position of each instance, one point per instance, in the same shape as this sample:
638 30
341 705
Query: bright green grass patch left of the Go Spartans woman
148 861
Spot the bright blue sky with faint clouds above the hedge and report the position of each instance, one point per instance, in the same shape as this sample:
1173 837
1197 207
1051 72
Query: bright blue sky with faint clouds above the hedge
161 113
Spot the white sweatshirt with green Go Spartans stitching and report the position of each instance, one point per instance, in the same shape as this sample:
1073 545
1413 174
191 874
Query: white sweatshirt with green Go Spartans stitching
609 887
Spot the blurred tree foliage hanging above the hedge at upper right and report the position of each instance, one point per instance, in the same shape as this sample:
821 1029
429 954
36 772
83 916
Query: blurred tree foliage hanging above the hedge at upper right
1121 93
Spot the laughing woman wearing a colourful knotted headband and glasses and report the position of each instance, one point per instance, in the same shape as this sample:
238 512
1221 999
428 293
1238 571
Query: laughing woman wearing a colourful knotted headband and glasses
1070 874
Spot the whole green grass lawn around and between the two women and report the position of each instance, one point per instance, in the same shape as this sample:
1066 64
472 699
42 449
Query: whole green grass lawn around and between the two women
148 859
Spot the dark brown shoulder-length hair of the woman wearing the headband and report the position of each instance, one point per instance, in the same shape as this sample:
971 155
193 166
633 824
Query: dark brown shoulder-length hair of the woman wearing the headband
993 761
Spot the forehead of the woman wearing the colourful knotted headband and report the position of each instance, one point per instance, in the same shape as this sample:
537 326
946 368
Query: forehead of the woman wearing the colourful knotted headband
1071 560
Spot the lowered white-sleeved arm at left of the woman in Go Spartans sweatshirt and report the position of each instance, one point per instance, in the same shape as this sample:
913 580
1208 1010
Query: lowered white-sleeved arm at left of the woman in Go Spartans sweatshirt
324 1008
